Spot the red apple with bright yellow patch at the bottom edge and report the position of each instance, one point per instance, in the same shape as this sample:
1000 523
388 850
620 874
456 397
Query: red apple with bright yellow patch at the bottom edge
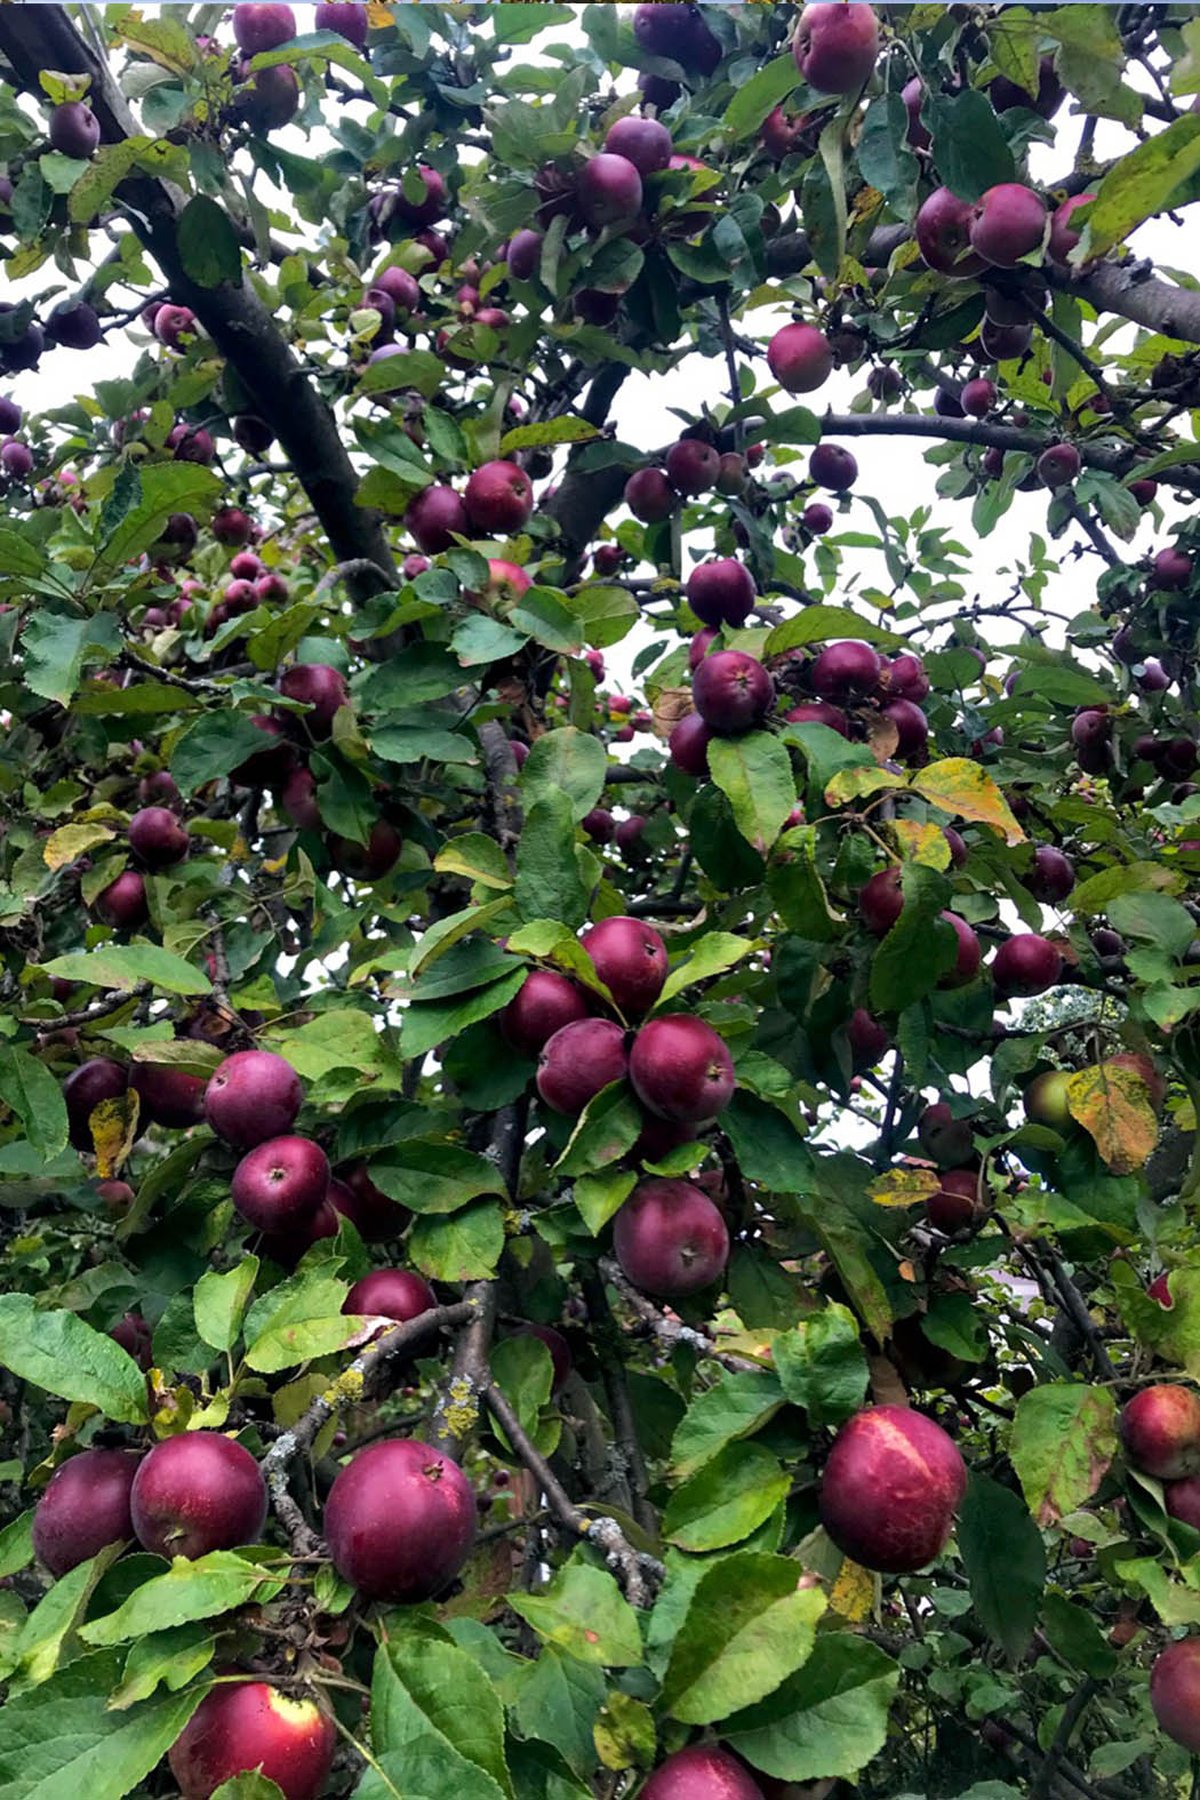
247 1727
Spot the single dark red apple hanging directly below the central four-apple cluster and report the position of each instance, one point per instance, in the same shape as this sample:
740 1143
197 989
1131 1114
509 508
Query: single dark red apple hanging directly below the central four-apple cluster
670 1239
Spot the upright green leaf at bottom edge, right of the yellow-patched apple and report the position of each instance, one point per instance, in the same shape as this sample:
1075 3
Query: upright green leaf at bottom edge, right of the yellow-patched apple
436 1720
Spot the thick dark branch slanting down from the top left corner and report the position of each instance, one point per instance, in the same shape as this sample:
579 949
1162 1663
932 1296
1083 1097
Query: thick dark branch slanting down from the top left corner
37 39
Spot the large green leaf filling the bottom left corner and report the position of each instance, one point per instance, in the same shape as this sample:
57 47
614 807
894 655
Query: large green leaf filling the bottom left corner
62 1740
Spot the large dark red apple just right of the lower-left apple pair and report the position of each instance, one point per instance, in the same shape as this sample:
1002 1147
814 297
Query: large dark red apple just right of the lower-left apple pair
400 1522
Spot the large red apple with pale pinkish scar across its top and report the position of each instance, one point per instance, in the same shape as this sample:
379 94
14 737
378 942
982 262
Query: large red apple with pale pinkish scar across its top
891 1488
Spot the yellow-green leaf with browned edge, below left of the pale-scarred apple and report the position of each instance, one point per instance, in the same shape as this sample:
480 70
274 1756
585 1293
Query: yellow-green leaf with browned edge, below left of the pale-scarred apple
748 1630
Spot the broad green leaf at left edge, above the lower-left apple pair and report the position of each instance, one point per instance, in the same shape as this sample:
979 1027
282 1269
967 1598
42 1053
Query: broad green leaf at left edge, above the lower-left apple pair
66 1356
